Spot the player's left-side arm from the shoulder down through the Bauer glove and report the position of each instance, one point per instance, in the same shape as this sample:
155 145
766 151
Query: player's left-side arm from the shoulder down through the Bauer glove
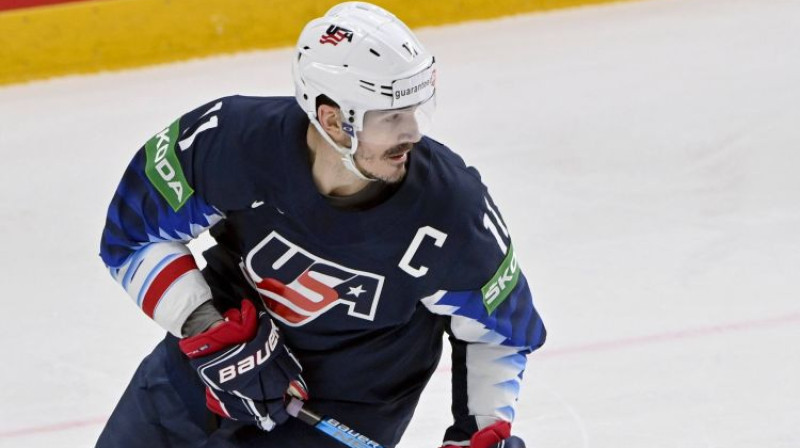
160 205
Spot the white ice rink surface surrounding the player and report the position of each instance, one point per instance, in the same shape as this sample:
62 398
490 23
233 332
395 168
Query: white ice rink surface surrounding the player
645 156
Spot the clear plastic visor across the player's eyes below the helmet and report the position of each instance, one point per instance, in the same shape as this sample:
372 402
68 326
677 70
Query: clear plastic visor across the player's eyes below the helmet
396 126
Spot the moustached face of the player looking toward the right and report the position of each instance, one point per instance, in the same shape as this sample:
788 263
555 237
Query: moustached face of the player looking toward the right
387 139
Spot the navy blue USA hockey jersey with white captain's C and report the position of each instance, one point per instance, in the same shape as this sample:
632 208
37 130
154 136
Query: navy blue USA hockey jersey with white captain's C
363 297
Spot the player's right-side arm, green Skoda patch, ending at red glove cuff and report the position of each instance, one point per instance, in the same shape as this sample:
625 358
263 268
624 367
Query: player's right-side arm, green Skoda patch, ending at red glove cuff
493 326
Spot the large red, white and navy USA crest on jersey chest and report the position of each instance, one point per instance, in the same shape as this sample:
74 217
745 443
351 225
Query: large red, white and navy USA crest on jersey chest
298 286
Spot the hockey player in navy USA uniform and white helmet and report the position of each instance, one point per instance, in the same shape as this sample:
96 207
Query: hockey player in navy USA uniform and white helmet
348 244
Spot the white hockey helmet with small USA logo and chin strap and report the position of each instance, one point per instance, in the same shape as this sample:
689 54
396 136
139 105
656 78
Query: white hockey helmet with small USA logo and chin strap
368 62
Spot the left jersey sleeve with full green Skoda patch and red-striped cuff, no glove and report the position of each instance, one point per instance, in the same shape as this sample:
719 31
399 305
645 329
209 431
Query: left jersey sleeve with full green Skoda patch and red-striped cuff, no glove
156 209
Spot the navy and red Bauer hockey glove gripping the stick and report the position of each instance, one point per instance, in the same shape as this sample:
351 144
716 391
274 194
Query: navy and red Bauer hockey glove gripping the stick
246 368
